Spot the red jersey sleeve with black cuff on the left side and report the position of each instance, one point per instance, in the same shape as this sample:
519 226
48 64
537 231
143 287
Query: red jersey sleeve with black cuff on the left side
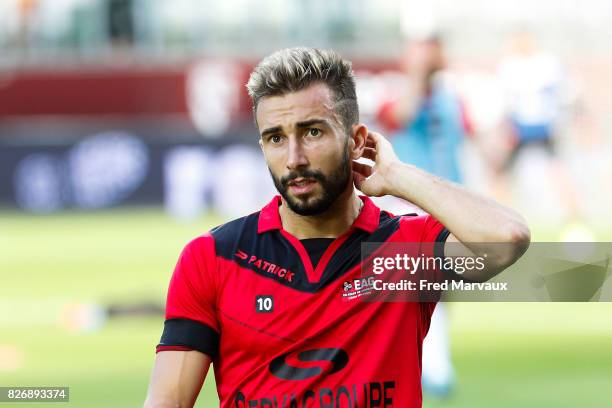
191 319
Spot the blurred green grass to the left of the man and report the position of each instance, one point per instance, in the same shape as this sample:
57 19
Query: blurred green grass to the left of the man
48 262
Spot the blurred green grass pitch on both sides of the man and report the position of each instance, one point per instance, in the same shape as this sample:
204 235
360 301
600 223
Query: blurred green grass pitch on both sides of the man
506 355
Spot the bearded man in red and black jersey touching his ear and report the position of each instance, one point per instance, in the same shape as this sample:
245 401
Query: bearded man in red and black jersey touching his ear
261 296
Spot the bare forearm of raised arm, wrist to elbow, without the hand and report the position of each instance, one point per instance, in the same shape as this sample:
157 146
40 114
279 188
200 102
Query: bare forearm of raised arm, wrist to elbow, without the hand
469 216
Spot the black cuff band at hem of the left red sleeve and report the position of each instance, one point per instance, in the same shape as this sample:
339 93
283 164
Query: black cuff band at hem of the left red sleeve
191 334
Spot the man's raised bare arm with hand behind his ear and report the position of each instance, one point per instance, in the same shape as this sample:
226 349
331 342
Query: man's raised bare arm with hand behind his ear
472 219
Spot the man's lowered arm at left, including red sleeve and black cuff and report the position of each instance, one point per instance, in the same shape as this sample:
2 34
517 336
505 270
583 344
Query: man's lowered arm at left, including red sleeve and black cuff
190 339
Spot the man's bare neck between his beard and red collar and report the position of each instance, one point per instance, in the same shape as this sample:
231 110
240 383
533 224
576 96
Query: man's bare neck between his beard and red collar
330 224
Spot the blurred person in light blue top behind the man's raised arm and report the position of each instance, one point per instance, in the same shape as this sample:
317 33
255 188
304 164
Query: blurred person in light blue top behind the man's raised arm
428 116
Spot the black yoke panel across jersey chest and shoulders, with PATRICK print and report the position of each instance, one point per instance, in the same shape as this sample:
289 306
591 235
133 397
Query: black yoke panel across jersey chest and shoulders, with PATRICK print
240 237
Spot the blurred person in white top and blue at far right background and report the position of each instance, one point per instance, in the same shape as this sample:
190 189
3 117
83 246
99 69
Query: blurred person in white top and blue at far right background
536 89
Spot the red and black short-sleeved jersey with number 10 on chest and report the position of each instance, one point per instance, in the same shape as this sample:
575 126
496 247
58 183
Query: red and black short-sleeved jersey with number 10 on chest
279 331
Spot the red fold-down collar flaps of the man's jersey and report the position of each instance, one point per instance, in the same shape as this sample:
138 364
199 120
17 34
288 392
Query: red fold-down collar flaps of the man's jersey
367 220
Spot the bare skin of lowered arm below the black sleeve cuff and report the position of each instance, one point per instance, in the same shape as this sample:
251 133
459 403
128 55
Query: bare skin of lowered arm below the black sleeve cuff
177 379
